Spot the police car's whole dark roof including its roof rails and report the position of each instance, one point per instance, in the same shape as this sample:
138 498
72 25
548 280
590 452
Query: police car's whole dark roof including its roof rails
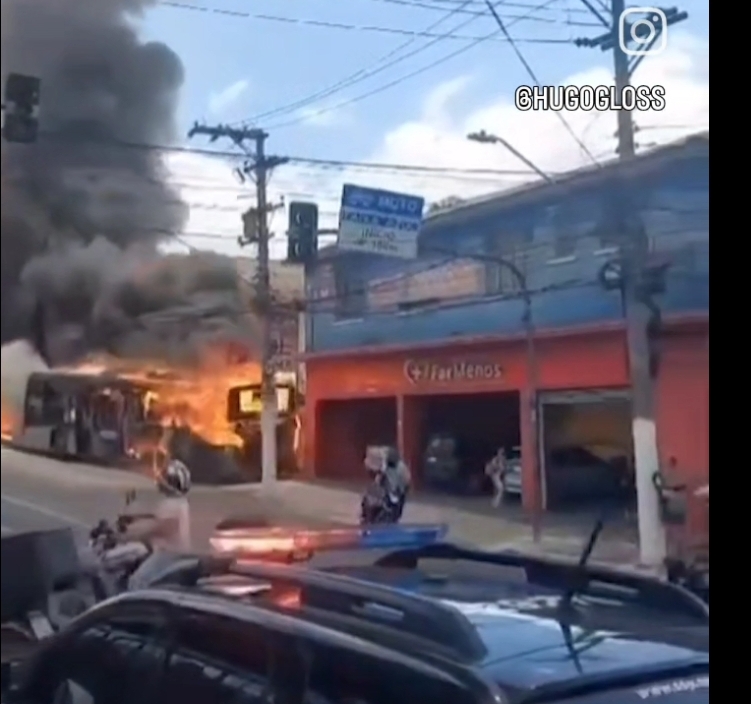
521 634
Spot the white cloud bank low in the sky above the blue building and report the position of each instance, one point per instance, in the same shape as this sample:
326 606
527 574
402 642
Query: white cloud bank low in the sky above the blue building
436 137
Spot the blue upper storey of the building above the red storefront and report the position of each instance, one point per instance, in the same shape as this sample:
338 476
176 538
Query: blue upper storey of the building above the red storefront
559 236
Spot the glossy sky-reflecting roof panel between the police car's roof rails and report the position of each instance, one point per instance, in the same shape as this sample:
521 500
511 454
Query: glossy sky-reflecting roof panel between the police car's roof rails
530 640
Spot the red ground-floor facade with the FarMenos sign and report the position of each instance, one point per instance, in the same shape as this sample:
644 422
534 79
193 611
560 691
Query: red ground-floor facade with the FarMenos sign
582 359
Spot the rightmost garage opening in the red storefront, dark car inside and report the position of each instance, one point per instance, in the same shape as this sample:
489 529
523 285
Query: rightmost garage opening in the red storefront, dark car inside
587 451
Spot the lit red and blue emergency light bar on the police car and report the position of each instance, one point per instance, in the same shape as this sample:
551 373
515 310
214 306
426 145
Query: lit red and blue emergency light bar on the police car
289 543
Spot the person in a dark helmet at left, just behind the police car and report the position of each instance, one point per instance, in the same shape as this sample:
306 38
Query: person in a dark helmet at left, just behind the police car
168 531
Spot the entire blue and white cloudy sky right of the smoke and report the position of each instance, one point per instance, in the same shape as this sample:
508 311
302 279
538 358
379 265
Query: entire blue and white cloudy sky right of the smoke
399 82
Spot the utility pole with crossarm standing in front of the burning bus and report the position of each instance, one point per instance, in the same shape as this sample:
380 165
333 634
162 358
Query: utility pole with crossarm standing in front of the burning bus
256 231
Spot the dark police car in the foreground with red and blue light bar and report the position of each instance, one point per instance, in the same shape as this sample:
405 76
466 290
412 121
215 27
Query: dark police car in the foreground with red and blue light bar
422 622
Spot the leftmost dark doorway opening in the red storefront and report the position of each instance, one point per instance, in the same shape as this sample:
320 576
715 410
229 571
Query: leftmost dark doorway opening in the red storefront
346 429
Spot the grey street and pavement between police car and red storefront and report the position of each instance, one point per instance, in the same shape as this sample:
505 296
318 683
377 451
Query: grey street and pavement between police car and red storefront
39 492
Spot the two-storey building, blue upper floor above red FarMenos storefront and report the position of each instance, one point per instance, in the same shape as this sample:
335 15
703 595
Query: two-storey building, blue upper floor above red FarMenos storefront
400 348
